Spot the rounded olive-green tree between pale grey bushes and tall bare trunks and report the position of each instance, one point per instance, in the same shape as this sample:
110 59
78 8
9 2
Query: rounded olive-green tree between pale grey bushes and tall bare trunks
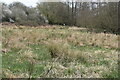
56 12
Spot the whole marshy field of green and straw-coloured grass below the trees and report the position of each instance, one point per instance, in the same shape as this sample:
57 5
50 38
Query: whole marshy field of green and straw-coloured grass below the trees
58 51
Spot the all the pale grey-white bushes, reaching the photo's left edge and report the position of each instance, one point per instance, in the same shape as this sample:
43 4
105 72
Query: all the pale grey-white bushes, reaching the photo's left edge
22 15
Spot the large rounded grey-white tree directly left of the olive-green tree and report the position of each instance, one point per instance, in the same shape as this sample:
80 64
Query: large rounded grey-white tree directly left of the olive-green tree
26 15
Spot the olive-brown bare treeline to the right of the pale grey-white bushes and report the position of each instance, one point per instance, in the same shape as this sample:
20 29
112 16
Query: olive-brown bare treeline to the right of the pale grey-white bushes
99 15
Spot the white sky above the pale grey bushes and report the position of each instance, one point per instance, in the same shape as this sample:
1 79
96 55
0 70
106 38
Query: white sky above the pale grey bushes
26 2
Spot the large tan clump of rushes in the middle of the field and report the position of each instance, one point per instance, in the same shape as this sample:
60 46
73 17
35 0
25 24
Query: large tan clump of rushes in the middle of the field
63 51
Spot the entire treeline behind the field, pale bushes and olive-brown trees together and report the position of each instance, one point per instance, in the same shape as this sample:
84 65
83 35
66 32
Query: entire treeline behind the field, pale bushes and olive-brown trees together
98 15
